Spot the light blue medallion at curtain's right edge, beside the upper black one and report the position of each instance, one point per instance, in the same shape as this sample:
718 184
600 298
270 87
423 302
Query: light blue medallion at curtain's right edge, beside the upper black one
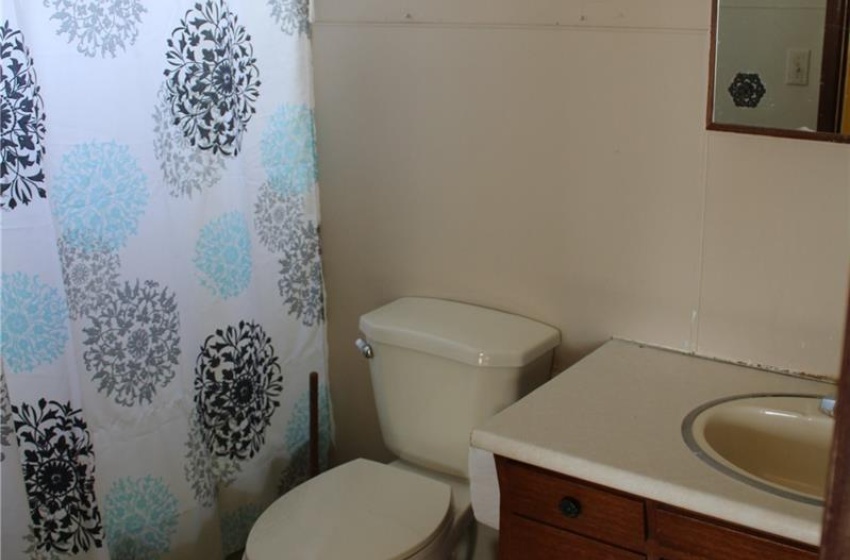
289 149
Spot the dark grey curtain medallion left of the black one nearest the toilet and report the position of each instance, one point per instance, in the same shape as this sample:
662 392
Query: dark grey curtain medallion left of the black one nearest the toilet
133 342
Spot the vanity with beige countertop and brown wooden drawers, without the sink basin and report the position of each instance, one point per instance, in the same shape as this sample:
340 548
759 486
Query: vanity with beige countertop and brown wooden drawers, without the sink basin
594 465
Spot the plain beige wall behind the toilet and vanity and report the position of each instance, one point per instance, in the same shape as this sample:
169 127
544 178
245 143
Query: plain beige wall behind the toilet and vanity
549 158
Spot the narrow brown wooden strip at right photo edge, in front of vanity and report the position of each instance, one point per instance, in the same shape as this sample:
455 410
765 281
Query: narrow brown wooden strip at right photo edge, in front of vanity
835 540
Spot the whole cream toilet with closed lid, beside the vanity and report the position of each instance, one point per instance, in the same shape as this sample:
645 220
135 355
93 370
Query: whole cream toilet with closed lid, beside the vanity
438 369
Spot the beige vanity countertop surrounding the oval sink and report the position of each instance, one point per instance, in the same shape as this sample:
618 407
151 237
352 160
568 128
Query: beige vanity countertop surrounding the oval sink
615 418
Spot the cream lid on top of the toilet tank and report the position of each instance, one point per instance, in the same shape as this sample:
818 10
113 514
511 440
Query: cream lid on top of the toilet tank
459 331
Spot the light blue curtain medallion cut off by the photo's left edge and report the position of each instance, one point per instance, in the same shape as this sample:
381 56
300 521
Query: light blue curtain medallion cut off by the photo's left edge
34 328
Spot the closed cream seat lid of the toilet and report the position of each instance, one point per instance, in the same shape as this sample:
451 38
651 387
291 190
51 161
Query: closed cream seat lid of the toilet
359 510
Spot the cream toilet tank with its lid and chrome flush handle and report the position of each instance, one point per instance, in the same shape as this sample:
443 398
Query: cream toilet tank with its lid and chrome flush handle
439 368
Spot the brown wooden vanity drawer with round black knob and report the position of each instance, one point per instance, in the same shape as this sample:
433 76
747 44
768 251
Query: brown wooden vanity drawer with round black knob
573 505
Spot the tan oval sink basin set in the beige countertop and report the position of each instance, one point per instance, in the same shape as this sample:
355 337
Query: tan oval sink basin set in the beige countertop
778 443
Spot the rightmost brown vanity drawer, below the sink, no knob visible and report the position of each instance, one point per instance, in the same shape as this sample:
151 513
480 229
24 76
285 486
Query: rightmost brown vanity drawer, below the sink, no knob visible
703 538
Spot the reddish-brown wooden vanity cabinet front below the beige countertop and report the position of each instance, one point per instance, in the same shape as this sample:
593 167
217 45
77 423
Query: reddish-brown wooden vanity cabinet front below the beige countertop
546 515
